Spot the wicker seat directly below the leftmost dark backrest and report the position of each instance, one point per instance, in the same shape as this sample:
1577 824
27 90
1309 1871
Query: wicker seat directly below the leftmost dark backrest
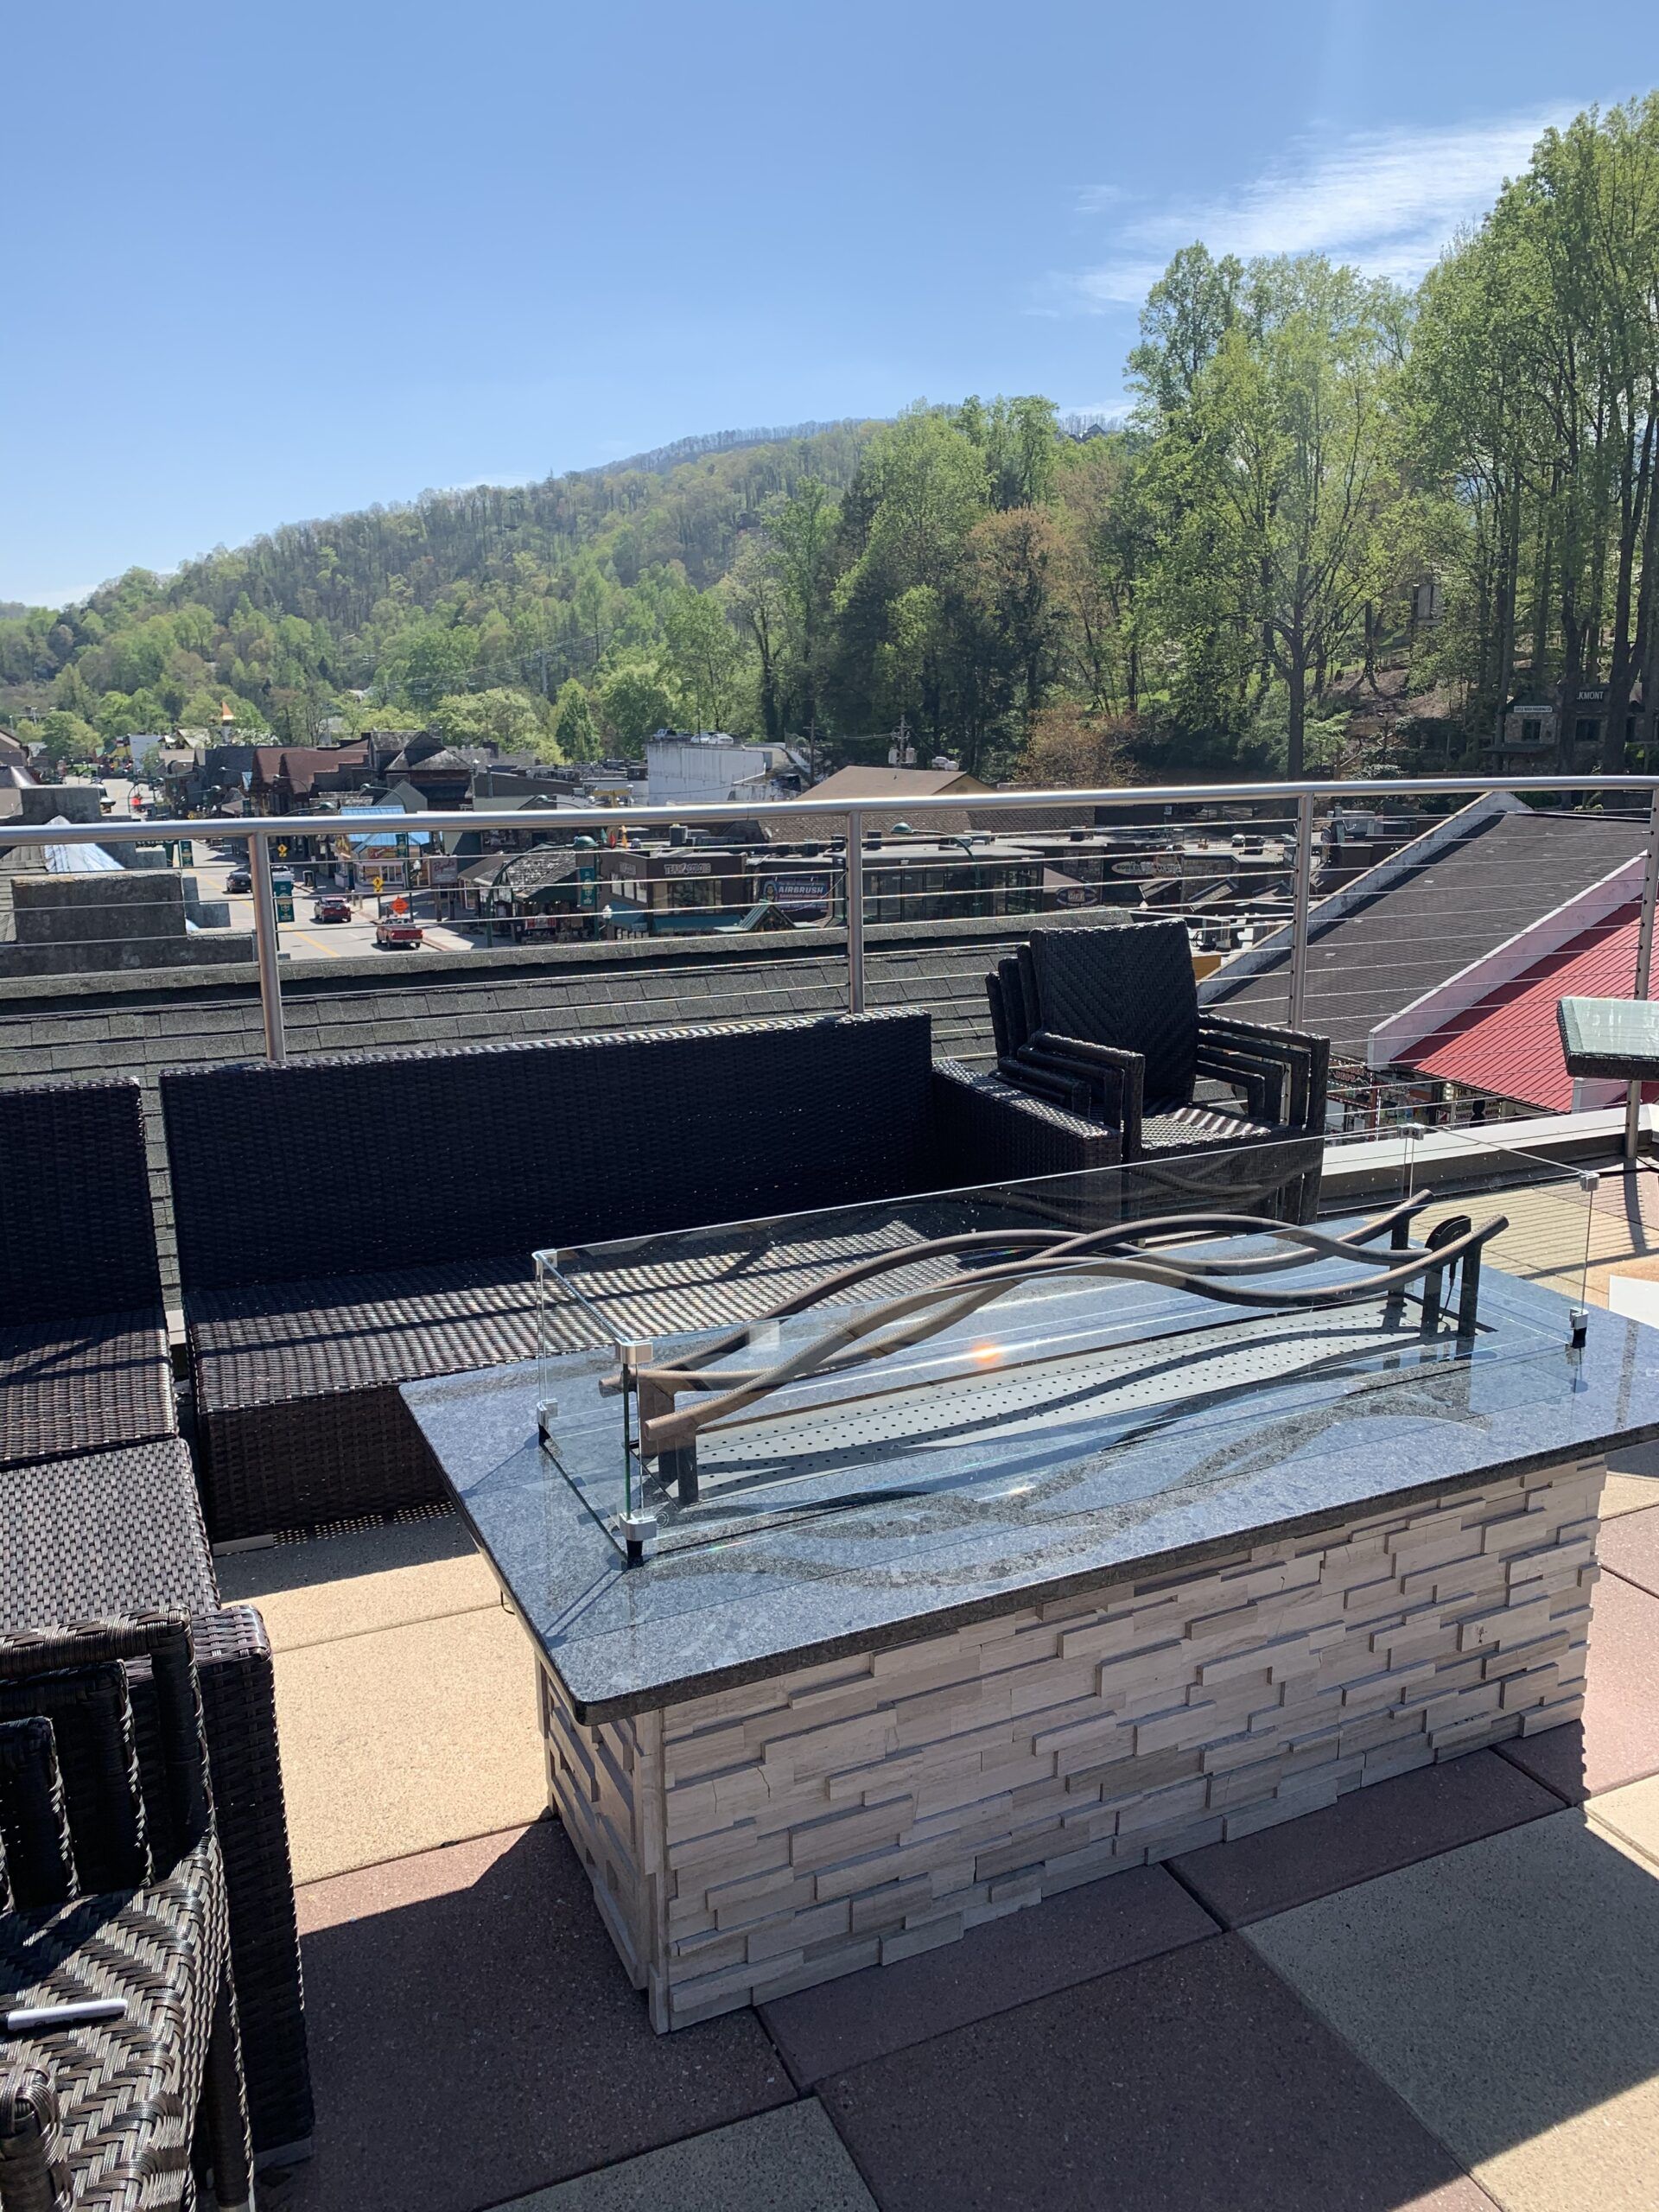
85 1386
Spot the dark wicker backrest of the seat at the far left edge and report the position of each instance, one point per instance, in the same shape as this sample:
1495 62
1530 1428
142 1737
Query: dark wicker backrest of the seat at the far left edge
76 1224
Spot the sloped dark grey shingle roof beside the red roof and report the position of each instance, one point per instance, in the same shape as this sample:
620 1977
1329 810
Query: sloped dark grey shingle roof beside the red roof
1439 917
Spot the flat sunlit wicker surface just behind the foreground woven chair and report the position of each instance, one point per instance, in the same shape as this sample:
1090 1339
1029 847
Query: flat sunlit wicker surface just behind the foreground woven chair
103 1536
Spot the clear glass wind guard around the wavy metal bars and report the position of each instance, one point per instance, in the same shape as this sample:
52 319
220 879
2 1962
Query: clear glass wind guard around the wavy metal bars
707 1384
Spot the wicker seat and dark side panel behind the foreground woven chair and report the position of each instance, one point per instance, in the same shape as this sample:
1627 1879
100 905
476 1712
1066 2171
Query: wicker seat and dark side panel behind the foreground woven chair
121 1534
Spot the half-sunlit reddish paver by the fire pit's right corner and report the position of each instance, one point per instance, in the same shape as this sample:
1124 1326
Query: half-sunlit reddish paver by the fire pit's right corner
1618 1742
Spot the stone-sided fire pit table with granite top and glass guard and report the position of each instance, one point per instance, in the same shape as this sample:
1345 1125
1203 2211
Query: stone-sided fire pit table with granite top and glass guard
897 1569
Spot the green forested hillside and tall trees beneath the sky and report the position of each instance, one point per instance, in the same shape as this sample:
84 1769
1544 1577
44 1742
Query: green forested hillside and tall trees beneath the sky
1229 581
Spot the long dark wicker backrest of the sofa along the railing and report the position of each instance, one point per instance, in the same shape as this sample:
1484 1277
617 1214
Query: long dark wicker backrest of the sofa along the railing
426 1160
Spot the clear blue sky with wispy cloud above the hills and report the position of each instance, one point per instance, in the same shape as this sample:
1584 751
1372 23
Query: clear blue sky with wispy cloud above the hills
284 262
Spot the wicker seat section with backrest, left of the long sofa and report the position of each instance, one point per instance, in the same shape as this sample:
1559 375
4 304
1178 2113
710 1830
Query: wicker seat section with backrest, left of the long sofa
83 1335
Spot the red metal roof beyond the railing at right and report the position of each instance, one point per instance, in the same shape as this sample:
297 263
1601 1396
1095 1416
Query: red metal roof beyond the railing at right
1510 1043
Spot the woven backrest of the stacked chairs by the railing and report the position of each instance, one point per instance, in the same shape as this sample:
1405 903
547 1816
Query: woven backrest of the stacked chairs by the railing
1131 988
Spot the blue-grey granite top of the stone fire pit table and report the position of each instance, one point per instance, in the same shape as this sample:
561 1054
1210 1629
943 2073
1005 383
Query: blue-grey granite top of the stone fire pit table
1103 1494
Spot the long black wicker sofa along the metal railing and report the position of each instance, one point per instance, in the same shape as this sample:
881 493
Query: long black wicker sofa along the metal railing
364 1222
